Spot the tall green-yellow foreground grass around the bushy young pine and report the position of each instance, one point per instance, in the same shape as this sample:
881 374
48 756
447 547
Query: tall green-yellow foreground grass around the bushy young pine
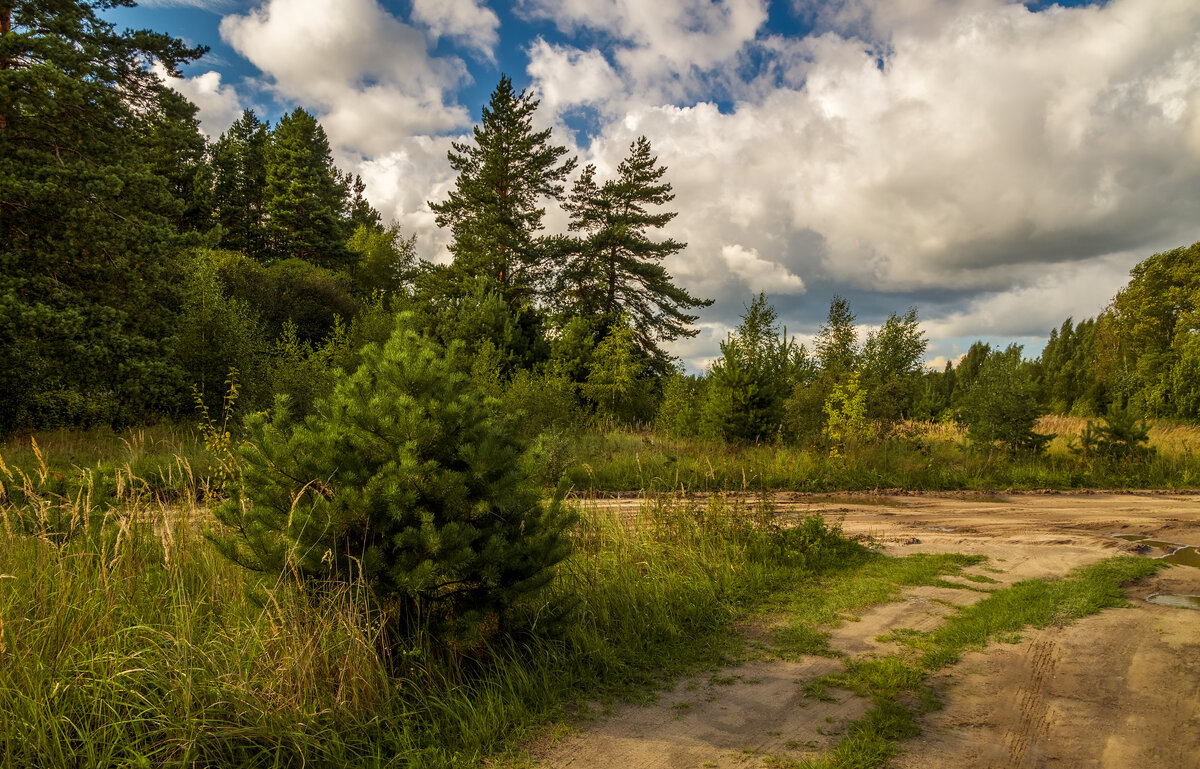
128 641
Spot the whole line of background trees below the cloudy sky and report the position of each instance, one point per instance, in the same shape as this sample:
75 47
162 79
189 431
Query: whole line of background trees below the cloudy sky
147 271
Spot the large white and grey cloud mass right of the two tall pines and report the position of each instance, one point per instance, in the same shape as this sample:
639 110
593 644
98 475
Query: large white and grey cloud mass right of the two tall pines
923 147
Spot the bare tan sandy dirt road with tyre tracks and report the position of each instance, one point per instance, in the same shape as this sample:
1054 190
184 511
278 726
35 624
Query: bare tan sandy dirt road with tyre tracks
1115 690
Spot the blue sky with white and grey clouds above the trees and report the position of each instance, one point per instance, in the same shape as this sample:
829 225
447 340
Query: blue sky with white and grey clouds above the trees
1000 166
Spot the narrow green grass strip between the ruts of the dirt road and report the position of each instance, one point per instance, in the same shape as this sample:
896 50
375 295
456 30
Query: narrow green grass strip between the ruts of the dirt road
897 684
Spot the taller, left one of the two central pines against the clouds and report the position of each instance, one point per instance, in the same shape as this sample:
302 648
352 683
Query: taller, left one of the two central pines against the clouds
495 211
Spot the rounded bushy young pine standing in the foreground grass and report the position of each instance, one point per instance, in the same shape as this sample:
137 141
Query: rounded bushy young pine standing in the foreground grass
409 480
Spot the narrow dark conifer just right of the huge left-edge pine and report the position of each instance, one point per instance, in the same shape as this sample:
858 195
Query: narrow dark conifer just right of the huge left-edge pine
239 167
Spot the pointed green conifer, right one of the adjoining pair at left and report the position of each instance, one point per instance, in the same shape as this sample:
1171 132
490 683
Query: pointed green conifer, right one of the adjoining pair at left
307 197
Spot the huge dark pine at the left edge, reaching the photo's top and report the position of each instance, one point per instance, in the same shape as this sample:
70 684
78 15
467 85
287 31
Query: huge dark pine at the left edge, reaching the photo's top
88 285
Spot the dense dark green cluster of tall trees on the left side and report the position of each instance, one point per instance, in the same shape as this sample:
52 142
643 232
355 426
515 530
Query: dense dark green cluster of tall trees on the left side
107 189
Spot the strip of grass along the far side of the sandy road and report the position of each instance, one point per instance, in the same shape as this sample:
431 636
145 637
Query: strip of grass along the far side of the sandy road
171 459
